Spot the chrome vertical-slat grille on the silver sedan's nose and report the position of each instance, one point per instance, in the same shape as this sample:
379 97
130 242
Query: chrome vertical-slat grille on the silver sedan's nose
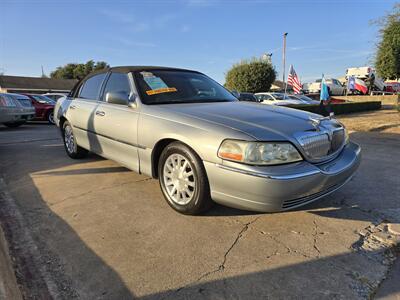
315 145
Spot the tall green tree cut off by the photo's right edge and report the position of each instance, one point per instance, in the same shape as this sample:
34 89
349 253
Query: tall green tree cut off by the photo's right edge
387 60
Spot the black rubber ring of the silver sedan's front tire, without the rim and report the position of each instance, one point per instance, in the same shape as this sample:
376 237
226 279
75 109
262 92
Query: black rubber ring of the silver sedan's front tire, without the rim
201 198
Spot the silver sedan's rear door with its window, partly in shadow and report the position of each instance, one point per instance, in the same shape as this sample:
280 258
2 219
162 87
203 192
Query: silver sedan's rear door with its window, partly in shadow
81 112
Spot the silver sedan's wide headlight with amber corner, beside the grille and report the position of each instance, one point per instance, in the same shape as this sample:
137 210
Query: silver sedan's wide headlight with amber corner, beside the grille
258 153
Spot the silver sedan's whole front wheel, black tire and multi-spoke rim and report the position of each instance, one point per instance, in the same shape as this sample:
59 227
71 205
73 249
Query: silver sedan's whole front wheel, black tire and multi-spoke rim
183 180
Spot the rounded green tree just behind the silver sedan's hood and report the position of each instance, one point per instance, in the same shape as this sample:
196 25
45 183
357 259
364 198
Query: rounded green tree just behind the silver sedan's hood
255 75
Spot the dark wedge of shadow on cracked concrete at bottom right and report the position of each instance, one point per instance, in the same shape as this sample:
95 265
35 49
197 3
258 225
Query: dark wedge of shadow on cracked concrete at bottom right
341 276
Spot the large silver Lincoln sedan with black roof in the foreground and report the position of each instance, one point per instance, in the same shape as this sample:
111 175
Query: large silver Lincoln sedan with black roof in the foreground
204 145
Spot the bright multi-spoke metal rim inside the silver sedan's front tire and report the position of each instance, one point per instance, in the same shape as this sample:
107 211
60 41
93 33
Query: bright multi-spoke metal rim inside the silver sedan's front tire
179 179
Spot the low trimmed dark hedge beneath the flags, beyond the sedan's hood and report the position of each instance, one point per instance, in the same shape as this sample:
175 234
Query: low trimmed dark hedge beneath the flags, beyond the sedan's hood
341 108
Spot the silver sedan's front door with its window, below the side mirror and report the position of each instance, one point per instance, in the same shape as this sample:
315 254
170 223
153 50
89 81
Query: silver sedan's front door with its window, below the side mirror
116 124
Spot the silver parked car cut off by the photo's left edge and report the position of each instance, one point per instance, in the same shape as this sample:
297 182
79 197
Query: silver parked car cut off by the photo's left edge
15 109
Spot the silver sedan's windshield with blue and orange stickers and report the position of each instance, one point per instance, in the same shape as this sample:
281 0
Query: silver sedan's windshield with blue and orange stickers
170 86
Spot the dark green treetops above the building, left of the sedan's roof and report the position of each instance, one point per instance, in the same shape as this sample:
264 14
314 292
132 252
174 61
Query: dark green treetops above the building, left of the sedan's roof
78 71
